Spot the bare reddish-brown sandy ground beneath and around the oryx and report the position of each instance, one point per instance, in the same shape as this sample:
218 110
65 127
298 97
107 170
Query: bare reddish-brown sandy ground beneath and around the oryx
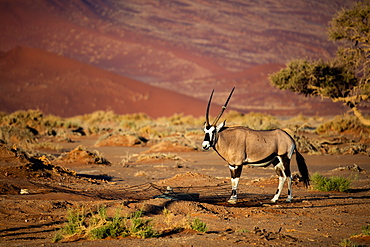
312 219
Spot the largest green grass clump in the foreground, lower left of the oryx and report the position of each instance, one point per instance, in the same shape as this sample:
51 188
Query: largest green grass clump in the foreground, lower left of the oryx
97 225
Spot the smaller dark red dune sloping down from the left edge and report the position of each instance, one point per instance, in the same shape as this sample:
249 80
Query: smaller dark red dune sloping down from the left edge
34 79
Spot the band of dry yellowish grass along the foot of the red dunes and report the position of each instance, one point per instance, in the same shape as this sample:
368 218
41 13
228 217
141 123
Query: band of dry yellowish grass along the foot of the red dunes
25 128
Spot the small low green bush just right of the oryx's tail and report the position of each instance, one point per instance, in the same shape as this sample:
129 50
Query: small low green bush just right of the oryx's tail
340 184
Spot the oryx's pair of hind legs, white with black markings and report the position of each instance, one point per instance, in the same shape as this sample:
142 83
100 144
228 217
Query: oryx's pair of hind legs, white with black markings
282 168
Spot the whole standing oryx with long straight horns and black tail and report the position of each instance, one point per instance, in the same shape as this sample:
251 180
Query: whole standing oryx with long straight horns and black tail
240 146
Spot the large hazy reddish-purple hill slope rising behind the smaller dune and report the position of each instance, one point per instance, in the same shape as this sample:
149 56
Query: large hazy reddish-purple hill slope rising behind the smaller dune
187 46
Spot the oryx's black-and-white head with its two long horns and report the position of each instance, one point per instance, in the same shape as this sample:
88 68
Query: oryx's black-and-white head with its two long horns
211 130
